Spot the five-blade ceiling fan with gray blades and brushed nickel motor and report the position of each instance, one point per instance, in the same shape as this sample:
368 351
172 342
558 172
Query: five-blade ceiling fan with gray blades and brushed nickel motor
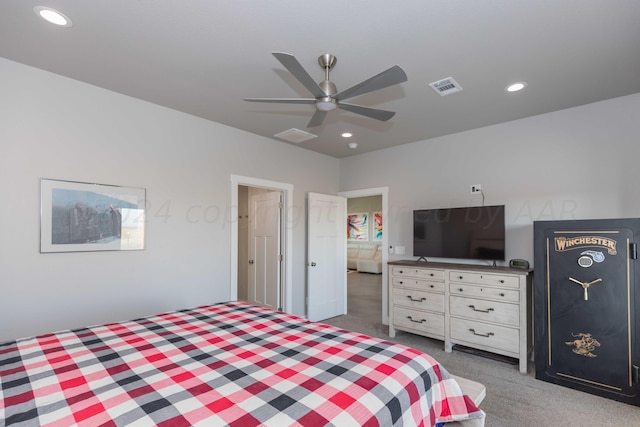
326 97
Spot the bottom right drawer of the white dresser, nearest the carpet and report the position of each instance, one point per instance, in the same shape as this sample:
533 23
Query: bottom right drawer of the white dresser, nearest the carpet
498 338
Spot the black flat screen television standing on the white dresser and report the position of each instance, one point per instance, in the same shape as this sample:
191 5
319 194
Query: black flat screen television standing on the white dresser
475 233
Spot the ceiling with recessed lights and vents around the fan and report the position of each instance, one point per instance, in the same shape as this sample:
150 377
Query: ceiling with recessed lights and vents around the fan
203 57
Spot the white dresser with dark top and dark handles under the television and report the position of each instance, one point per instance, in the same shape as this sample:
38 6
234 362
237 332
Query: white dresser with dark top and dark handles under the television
483 307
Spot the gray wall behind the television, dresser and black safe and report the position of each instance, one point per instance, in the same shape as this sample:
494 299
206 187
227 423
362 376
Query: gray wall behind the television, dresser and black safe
570 164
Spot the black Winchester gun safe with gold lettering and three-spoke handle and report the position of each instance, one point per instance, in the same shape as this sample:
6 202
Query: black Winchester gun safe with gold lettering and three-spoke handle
585 303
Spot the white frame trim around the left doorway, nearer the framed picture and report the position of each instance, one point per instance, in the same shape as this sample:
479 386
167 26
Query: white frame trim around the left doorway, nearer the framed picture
287 235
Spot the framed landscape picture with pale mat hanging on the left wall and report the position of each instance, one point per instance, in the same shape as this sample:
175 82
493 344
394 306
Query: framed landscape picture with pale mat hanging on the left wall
82 217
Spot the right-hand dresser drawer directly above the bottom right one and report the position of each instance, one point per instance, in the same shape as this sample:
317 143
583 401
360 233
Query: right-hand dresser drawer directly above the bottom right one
488 311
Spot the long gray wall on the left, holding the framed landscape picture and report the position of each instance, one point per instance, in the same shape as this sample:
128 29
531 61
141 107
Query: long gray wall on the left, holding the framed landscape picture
58 128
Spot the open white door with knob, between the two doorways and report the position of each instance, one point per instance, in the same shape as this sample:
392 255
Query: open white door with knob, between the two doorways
326 256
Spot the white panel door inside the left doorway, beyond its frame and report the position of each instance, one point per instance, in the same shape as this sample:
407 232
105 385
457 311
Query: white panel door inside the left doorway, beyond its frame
264 249
